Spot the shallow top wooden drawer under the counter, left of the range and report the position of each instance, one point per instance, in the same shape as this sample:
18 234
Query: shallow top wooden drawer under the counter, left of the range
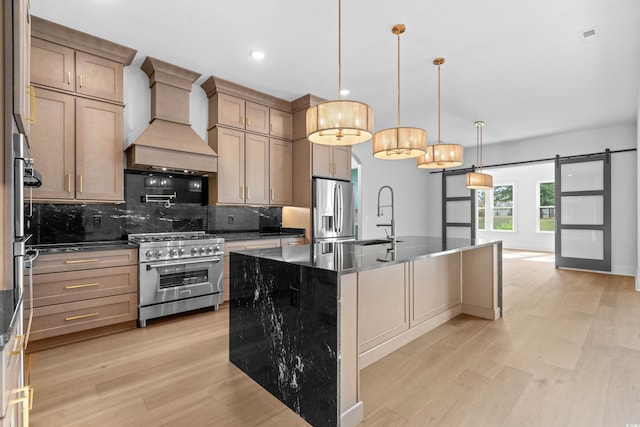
54 263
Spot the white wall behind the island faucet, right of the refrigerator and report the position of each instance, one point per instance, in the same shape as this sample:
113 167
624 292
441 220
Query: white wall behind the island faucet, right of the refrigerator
410 196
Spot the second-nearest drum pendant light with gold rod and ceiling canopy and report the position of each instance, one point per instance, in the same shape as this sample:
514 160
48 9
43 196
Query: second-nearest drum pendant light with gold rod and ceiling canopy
400 142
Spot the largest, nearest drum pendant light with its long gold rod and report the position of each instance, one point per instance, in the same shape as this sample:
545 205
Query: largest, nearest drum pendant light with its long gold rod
339 122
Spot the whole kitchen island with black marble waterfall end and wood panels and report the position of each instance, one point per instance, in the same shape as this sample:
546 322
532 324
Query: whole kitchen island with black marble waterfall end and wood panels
304 320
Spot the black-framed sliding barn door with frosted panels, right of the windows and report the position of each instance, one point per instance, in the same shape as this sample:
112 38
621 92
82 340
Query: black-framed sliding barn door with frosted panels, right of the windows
583 212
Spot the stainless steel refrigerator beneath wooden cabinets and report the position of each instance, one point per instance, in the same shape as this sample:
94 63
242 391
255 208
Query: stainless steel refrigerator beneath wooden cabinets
333 210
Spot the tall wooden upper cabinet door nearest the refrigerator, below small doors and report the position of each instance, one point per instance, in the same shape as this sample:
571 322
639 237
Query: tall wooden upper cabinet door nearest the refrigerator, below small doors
280 172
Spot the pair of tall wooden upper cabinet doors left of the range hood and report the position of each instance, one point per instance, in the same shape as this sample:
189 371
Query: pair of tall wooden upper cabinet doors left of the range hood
77 145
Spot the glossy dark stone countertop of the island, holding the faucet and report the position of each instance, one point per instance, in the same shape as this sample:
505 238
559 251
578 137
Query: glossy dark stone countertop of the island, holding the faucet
350 257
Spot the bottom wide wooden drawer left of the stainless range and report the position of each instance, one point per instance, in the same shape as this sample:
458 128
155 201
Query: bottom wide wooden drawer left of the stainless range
78 316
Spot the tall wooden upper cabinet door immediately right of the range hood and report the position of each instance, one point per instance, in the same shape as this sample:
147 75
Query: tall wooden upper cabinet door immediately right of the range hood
229 144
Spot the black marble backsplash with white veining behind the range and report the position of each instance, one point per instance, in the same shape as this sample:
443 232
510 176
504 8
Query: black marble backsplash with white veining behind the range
67 223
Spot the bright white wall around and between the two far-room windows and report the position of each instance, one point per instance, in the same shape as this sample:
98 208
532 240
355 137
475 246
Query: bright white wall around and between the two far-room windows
525 180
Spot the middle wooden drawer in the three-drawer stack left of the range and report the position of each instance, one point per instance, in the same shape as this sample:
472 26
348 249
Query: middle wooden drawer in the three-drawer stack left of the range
58 288
